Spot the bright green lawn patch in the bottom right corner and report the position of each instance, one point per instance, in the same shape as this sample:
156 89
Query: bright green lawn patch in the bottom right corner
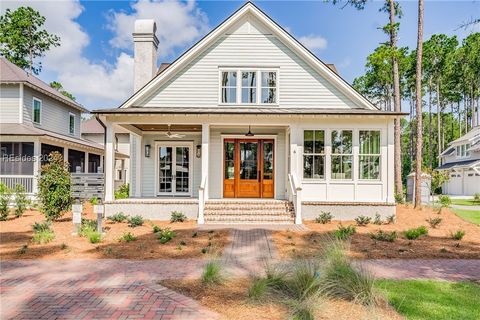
428 299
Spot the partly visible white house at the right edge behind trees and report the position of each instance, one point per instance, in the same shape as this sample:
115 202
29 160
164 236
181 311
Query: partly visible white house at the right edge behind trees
462 161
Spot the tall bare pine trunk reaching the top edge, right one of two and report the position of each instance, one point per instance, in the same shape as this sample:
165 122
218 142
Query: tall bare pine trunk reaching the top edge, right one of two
418 88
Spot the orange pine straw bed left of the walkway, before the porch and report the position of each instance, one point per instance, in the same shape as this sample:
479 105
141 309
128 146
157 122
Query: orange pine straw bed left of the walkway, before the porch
17 232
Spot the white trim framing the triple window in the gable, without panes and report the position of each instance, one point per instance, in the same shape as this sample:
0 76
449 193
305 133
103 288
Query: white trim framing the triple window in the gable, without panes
238 97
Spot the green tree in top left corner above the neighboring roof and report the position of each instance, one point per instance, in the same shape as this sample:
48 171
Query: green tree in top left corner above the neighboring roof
23 39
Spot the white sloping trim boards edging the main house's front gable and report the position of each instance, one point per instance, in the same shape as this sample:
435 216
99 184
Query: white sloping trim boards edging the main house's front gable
249 8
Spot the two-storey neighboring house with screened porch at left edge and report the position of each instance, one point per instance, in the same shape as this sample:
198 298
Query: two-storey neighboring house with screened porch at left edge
35 120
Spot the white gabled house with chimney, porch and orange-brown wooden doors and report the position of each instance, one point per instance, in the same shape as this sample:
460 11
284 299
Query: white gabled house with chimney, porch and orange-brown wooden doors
248 126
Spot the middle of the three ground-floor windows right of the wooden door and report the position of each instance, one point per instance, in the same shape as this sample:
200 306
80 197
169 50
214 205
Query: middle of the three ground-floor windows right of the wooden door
342 154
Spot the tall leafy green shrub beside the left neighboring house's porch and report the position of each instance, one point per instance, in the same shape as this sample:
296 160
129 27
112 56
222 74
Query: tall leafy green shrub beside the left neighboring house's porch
54 187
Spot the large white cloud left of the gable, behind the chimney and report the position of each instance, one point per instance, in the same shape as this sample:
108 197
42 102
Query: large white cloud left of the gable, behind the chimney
106 84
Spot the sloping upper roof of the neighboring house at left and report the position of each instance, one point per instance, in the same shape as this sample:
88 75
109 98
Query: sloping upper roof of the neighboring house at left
11 73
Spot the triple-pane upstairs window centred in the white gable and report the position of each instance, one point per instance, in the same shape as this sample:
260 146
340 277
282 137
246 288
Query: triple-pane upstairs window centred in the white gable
246 86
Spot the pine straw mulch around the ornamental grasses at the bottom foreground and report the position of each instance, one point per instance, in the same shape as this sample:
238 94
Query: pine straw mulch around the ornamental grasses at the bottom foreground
230 301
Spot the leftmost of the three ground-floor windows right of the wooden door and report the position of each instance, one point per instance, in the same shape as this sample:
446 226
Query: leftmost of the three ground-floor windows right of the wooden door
314 154
